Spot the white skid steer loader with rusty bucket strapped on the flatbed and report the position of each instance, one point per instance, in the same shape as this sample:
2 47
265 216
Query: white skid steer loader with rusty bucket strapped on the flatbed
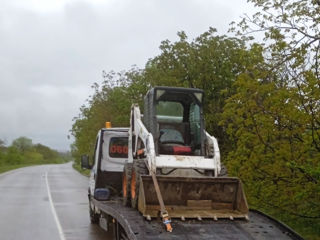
173 167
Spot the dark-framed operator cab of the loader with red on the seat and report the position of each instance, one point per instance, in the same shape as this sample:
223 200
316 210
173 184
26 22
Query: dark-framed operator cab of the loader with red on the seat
174 117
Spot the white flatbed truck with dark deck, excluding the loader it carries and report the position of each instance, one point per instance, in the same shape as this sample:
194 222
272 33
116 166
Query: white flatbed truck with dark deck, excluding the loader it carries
106 206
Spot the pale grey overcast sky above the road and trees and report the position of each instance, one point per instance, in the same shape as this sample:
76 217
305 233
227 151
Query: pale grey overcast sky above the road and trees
51 51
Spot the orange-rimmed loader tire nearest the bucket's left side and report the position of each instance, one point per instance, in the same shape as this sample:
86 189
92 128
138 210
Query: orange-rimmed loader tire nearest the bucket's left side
138 168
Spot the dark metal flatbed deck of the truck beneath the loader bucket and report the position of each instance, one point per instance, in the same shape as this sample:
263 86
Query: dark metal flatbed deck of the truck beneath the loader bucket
259 226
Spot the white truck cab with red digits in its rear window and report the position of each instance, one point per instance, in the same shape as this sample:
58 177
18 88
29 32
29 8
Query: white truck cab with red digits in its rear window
110 155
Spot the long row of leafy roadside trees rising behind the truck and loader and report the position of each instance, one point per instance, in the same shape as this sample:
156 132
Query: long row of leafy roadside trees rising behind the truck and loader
262 103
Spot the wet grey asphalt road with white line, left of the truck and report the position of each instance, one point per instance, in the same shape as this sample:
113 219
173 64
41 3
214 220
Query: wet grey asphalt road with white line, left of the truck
46 202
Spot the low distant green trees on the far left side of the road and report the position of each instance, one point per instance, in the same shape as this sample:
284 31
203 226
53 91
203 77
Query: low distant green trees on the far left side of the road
23 152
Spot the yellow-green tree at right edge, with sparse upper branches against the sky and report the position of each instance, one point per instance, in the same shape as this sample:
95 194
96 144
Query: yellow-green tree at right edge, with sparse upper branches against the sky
274 116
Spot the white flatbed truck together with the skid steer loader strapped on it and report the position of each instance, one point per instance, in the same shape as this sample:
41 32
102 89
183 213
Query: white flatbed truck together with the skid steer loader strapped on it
162 178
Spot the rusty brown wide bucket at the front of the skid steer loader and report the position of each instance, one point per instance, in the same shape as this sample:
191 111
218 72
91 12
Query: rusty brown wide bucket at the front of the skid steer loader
194 197
